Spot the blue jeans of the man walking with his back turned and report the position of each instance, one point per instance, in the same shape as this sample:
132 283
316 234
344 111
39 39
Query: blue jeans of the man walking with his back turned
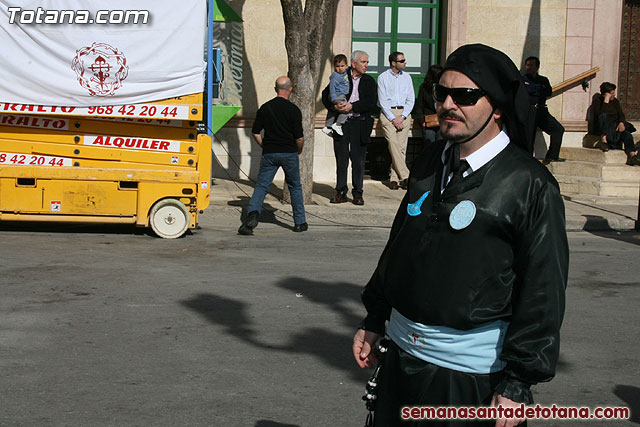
269 164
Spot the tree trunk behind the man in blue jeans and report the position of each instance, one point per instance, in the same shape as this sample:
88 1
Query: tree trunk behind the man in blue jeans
306 40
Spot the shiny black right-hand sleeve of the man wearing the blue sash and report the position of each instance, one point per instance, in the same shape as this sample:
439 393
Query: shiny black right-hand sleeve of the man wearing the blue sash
532 341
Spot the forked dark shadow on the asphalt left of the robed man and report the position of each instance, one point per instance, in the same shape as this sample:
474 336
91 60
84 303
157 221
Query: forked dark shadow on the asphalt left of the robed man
330 347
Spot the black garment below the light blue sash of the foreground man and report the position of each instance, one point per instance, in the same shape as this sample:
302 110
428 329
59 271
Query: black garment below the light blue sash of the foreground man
407 381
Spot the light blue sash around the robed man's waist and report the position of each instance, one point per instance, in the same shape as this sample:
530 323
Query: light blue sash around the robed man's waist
475 351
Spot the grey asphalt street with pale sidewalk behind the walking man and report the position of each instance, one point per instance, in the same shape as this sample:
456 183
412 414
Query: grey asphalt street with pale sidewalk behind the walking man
107 326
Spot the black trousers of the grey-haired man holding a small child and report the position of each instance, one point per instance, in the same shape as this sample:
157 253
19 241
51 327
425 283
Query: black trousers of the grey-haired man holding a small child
347 148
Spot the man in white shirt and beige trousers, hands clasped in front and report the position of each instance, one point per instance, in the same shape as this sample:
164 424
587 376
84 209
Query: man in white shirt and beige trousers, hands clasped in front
396 98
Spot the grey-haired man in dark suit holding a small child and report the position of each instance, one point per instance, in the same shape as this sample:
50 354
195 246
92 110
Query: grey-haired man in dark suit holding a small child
361 100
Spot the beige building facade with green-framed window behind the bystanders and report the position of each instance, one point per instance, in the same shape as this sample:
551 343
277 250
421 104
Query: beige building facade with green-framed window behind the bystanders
569 36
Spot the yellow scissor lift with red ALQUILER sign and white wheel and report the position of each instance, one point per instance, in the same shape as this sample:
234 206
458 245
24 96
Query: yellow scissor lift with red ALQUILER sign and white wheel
142 164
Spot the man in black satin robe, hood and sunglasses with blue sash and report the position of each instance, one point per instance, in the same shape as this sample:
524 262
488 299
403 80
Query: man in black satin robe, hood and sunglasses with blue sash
473 276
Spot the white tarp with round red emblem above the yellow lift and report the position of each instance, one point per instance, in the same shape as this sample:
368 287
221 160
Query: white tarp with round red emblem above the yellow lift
45 60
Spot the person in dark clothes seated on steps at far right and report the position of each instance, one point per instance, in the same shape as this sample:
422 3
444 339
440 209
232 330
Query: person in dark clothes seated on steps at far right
611 124
